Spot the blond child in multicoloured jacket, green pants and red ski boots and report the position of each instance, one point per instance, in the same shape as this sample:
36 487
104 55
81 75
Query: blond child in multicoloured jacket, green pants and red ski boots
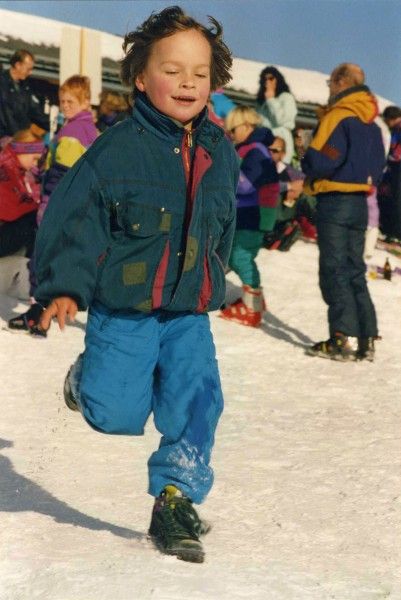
257 198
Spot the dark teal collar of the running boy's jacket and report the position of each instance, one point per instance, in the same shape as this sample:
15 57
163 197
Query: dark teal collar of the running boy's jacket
205 133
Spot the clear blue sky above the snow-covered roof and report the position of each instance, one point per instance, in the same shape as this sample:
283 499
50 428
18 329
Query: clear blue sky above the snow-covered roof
307 34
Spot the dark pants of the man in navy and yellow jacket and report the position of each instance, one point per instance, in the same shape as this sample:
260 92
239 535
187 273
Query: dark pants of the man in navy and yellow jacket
341 225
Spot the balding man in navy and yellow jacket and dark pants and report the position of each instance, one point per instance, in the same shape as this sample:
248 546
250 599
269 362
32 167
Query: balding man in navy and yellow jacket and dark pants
343 162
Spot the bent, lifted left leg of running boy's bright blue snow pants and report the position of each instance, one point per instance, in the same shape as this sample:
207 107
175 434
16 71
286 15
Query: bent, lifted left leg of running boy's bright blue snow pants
116 386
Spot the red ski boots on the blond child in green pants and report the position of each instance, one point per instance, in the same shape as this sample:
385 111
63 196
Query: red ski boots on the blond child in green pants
247 310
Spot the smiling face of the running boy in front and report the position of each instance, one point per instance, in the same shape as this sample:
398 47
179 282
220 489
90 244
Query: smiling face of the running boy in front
176 78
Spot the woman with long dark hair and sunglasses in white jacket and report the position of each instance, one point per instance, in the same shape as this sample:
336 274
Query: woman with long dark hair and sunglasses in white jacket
277 106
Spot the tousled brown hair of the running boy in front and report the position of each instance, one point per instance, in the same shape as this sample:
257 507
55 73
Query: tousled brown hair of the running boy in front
138 45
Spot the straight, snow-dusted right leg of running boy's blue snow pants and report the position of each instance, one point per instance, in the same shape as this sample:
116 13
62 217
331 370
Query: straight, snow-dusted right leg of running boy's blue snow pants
187 405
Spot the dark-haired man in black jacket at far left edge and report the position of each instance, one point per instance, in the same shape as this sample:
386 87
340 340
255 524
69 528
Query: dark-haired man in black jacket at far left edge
19 107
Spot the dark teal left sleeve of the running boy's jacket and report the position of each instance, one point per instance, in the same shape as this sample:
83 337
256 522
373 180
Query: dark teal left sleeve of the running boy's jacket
72 239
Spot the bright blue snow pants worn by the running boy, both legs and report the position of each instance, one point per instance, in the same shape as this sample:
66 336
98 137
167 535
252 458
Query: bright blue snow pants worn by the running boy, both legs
165 363
